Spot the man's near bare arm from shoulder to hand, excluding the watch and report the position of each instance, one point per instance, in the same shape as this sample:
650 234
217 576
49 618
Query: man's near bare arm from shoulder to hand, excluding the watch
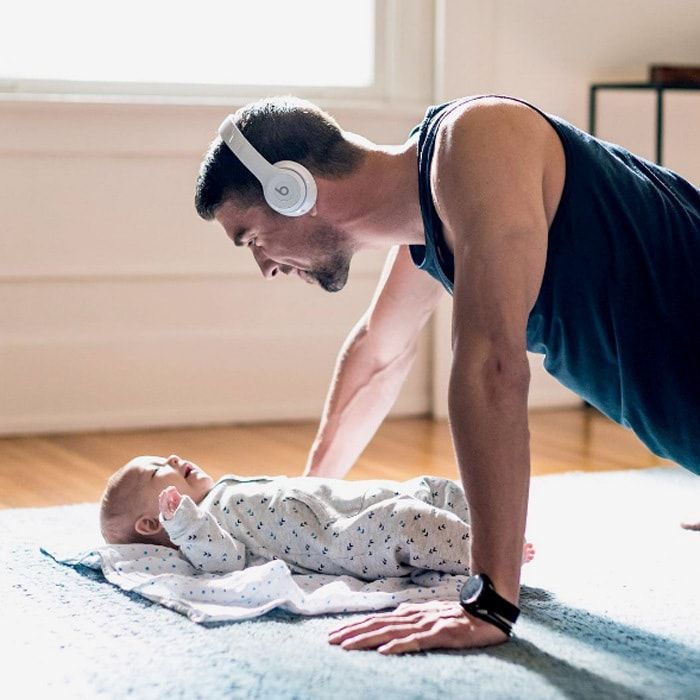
489 194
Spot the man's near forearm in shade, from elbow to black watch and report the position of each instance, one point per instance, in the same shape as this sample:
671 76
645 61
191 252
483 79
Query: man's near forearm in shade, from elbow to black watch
488 417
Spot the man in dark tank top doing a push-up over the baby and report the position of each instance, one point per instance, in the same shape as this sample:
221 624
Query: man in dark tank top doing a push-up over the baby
548 239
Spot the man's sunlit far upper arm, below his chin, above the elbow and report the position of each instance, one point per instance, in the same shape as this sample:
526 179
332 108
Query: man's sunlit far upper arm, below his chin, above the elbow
403 301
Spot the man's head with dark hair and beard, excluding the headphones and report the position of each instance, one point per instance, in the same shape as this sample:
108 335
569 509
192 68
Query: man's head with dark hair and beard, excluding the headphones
311 246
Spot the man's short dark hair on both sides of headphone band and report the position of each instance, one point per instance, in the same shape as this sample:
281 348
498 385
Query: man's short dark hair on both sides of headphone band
280 128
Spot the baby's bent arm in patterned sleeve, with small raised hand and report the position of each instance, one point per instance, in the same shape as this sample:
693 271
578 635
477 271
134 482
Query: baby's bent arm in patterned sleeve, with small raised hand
198 535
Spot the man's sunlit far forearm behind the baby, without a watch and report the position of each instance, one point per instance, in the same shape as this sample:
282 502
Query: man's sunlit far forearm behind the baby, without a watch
361 394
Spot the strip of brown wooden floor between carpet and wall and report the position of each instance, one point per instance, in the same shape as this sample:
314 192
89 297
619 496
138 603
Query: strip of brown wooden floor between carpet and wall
62 469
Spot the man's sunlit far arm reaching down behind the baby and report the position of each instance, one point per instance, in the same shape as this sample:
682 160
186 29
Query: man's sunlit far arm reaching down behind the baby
372 365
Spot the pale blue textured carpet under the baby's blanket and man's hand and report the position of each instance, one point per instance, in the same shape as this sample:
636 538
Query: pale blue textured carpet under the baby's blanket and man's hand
610 610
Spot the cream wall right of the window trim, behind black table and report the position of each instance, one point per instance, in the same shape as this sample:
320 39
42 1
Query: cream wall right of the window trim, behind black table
549 52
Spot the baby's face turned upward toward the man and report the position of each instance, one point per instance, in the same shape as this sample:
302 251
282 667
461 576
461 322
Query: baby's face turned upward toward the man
157 473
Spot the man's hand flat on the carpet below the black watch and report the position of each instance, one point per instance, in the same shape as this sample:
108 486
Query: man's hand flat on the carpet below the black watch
417 627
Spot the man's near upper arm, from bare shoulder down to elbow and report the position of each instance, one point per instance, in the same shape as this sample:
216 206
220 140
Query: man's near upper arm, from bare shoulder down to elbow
492 203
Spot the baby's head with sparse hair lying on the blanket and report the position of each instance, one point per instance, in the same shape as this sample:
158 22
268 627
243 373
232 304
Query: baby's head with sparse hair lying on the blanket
129 510
